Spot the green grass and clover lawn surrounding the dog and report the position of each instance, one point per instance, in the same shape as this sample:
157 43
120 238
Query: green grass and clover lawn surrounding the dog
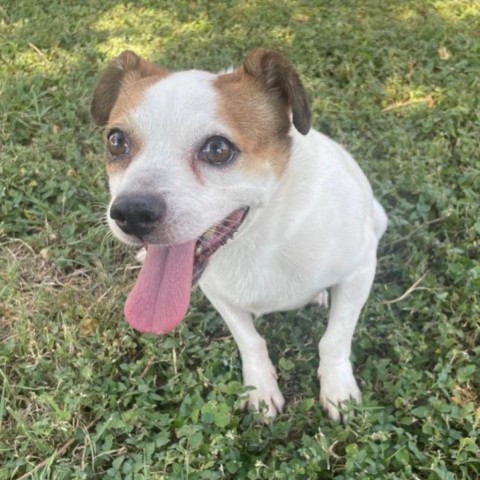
82 396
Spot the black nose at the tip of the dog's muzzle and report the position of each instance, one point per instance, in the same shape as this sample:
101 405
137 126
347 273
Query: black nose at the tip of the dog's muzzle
138 214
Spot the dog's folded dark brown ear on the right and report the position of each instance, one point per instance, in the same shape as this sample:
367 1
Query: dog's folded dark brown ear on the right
279 78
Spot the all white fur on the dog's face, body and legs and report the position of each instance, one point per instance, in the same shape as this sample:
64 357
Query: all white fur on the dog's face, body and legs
315 227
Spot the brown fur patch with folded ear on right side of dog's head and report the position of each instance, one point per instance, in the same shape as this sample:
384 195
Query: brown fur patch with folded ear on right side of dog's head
256 101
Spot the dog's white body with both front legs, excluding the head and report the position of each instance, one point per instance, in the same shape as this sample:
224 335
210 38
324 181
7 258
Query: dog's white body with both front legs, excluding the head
320 229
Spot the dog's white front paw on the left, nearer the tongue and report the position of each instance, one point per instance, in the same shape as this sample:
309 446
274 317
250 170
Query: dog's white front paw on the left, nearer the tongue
266 398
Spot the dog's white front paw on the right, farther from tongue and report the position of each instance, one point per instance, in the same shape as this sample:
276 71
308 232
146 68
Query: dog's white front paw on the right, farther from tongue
337 385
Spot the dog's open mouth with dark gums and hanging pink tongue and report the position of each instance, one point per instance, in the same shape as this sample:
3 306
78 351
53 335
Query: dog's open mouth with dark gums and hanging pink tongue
161 295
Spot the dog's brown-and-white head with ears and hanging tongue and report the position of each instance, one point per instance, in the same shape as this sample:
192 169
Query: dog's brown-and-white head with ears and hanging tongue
190 152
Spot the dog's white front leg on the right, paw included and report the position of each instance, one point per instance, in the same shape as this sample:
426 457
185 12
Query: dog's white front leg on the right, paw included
337 383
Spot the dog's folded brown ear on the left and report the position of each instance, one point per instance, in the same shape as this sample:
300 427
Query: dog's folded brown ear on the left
125 69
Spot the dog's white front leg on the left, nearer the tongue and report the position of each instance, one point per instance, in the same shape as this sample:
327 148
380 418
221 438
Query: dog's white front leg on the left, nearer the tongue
258 370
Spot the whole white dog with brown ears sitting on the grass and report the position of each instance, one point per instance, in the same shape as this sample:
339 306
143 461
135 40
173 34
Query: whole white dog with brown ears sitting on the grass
224 182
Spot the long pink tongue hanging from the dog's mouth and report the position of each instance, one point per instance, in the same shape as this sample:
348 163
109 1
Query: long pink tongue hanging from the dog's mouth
161 295
